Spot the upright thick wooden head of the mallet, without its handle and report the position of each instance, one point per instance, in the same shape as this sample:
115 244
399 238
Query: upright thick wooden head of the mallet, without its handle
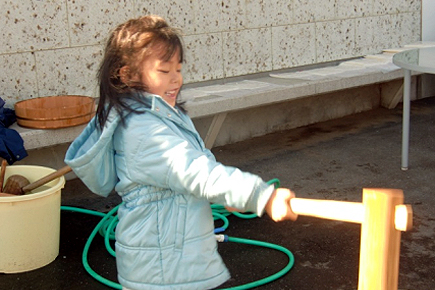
380 241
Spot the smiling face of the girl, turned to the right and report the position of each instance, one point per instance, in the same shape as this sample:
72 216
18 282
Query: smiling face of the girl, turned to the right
162 78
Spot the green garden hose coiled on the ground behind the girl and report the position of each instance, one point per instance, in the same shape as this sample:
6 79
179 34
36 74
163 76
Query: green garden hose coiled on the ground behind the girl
106 228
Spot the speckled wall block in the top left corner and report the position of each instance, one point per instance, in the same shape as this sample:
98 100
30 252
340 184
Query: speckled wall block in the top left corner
32 25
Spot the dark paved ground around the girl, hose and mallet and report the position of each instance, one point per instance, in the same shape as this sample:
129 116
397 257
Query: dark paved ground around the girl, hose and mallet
333 160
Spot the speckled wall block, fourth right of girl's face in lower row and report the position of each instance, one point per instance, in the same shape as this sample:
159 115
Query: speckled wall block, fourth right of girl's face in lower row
335 40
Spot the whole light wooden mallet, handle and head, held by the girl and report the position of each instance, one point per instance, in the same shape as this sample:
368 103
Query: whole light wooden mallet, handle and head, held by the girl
382 216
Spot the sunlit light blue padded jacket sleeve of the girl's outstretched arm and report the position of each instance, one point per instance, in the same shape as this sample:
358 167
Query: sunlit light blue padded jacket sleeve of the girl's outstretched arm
164 158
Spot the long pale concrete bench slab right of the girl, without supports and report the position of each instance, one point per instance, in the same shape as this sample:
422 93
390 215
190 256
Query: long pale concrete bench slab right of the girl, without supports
217 99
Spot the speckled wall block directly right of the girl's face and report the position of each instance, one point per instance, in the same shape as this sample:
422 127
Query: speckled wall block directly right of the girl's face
200 49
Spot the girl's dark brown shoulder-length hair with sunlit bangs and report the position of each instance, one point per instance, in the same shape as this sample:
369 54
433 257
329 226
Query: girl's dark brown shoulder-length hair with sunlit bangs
128 45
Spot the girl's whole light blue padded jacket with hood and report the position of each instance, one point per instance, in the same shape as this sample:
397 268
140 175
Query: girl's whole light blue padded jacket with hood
158 164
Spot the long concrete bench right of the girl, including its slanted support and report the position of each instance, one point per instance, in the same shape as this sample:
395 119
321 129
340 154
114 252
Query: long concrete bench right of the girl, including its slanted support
219 100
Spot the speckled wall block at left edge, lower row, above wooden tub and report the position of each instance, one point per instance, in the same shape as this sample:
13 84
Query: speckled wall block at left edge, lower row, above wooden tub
18 78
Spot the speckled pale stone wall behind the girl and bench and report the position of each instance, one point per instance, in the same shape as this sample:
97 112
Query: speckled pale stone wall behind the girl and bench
54 47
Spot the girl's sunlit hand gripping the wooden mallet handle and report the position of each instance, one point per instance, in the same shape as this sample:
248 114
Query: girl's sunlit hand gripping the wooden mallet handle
278 206
